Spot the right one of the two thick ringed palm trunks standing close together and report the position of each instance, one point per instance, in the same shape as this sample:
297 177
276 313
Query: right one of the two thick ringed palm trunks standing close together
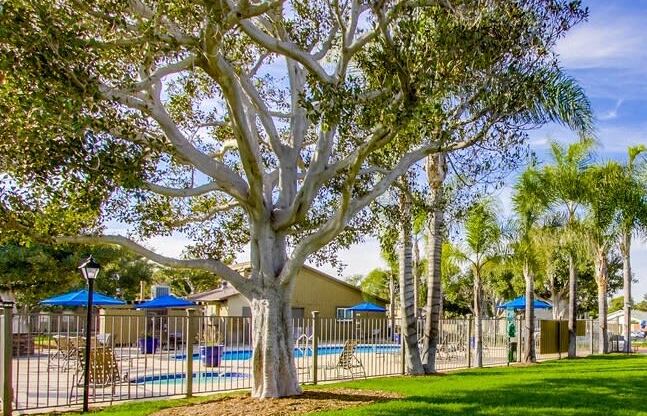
436 172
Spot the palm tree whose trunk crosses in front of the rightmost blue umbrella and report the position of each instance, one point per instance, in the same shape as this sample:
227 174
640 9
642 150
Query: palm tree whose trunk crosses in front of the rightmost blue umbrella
529 201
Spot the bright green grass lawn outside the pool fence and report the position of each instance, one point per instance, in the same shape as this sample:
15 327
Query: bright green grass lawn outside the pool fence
609 385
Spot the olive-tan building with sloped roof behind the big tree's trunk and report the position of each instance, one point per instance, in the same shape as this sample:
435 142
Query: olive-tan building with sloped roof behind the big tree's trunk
313 291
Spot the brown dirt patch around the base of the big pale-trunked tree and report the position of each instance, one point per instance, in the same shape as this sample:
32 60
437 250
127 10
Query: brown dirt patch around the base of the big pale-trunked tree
309 401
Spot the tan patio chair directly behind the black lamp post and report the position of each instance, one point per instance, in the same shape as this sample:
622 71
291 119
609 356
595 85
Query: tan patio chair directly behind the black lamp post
104 370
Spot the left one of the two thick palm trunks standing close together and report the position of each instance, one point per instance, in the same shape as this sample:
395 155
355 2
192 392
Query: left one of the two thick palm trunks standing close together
413 363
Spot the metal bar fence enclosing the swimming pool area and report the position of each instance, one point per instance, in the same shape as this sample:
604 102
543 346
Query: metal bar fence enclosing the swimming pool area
159 355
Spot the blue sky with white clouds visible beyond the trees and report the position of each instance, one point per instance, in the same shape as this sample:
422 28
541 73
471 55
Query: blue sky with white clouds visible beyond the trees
608 56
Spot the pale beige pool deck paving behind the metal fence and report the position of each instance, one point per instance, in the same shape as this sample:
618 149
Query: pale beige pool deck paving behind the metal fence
44 381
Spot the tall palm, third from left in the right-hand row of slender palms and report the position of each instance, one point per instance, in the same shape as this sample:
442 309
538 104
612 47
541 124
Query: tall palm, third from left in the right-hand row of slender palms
566 190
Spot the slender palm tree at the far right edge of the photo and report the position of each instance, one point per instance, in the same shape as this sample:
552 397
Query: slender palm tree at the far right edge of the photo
632 219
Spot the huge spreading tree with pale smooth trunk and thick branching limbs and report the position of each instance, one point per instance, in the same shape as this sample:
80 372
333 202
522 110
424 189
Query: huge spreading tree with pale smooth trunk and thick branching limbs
244 122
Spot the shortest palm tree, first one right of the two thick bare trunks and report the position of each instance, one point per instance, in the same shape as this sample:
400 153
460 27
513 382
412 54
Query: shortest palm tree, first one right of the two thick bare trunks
481 249
